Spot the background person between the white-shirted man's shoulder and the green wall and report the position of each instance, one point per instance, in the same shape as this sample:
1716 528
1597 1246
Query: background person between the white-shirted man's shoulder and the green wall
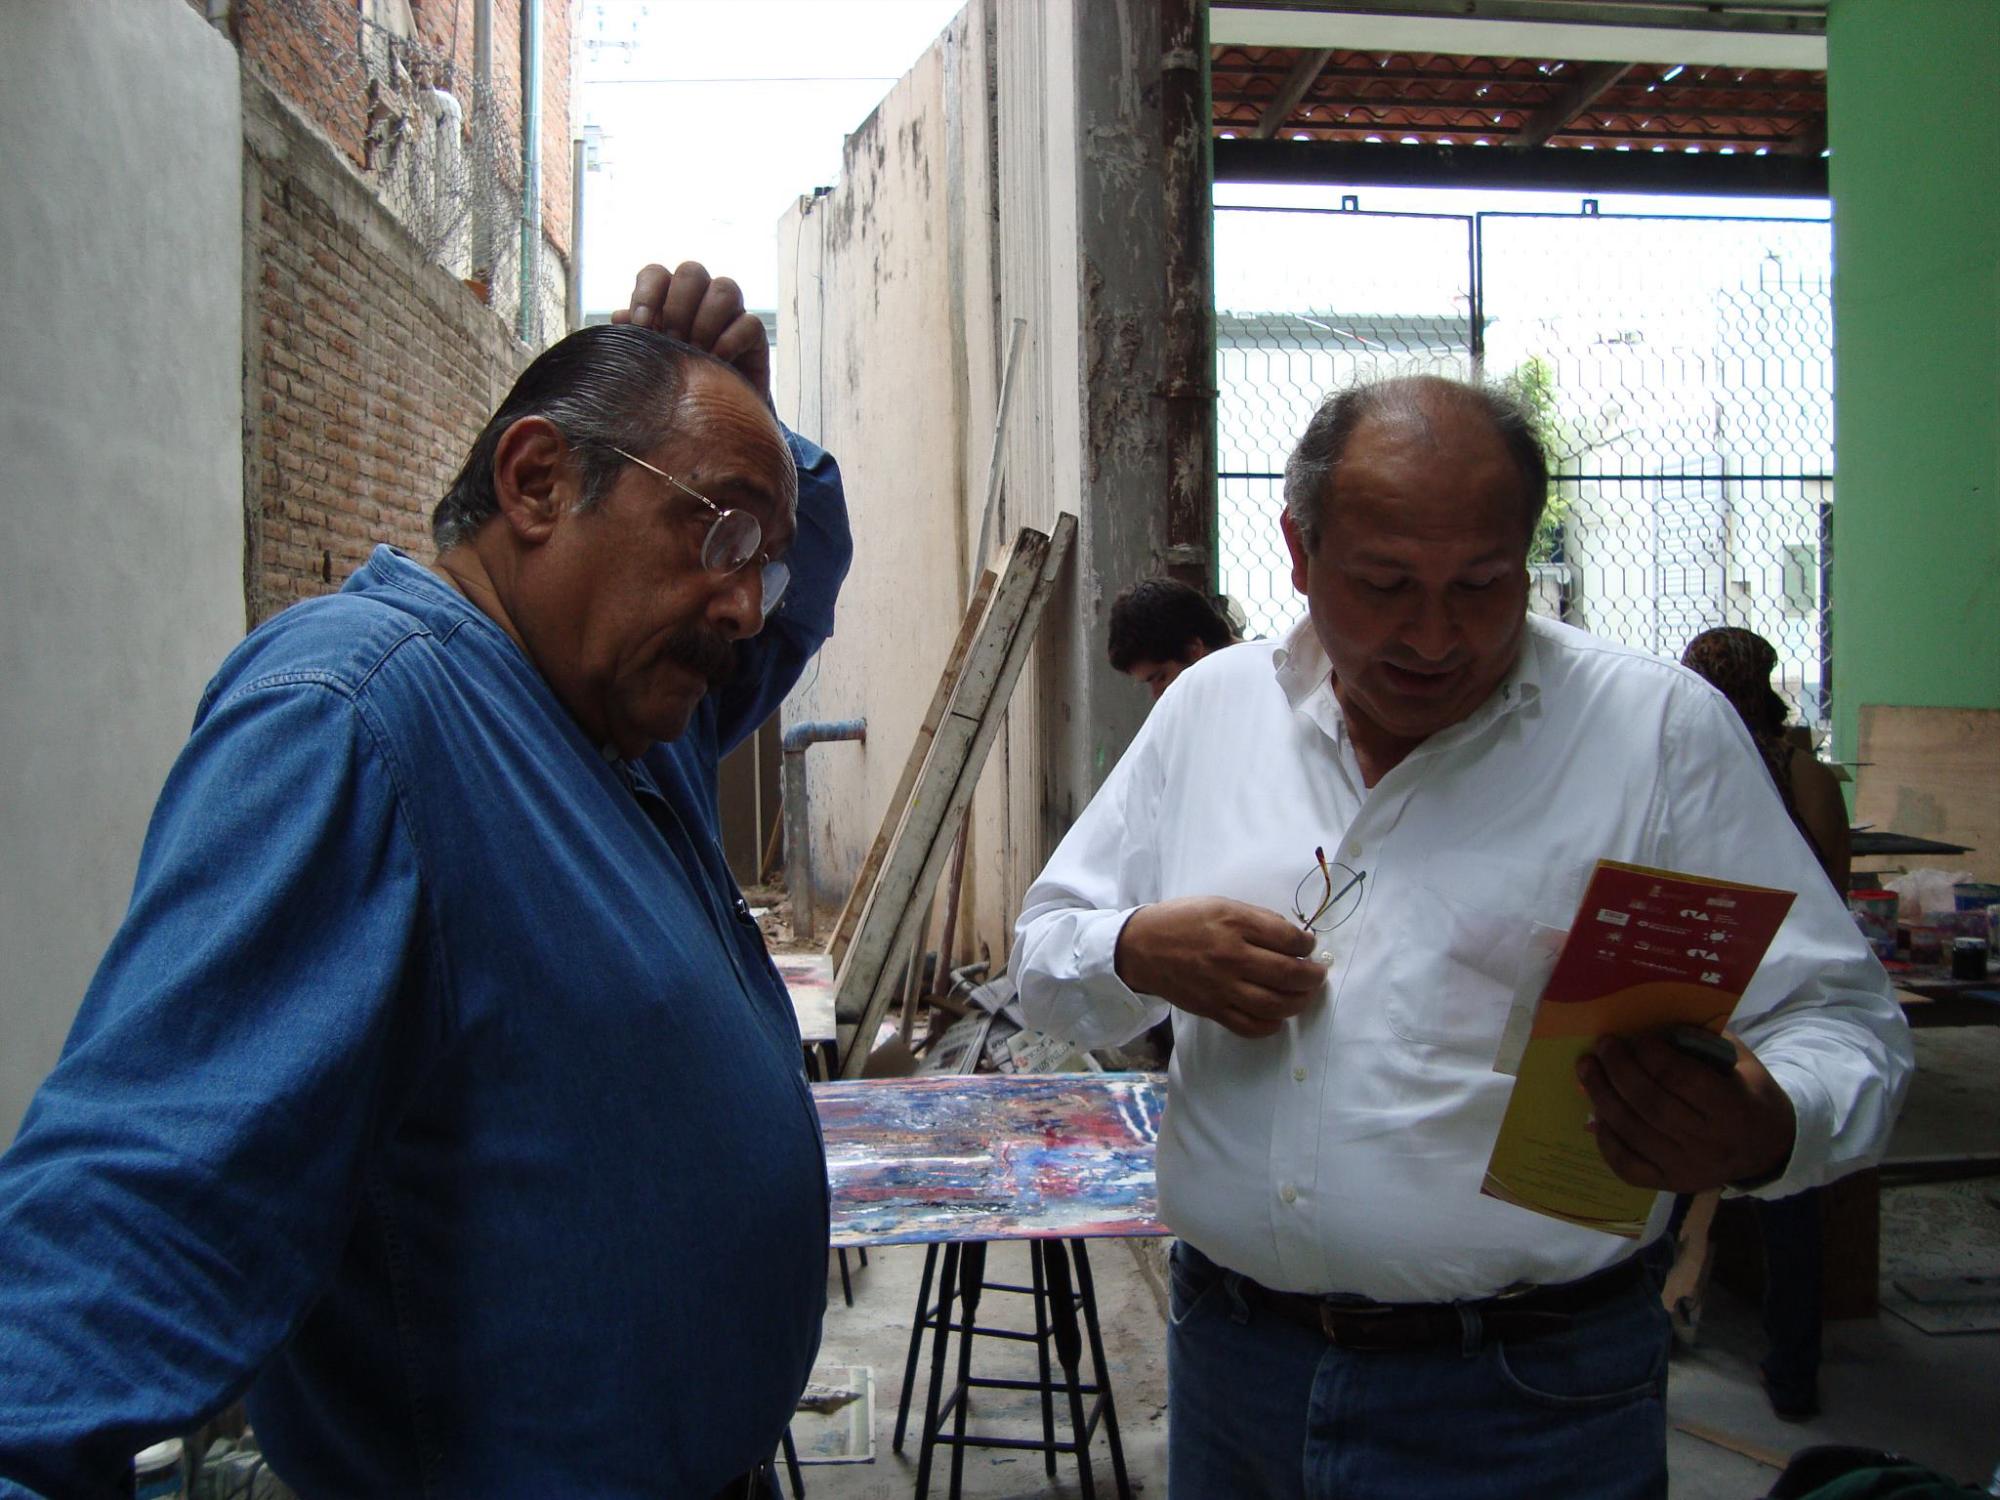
1739 665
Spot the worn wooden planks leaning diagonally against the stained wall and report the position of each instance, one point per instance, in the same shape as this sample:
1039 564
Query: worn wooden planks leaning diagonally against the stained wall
899 879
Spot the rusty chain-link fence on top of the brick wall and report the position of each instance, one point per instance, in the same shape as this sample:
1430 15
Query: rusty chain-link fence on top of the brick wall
439 147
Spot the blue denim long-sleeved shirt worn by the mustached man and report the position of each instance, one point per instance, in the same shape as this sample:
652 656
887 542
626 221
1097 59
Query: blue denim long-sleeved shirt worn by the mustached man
437 1091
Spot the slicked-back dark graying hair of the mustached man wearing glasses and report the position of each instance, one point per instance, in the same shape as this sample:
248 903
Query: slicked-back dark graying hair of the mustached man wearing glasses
607 387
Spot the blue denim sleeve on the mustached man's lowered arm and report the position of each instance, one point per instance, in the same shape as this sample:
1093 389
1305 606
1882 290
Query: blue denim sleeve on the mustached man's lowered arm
187 1177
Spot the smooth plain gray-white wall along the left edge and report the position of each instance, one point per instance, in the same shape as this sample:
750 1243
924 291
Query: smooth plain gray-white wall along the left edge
121 467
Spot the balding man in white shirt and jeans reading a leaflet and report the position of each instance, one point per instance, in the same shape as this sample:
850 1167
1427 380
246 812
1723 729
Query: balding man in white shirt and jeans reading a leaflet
1351 1317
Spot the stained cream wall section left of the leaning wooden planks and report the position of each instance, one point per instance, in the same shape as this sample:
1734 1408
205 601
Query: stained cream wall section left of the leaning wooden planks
887 359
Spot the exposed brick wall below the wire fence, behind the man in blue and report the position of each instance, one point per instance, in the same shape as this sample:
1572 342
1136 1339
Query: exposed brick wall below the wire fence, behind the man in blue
369 369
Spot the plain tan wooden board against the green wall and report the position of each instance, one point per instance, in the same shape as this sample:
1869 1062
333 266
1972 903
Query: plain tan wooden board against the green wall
1933 773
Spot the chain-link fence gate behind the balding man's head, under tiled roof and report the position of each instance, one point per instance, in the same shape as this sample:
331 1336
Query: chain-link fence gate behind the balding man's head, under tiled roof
1681 369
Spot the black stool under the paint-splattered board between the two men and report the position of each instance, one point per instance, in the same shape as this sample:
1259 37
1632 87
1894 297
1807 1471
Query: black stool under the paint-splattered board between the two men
1057 1301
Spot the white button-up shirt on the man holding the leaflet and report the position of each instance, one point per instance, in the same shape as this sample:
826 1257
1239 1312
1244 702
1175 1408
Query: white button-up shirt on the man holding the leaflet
1345 1153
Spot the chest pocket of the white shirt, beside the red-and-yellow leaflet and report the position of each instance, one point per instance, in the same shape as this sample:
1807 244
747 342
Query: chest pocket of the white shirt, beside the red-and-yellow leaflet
1467 939
